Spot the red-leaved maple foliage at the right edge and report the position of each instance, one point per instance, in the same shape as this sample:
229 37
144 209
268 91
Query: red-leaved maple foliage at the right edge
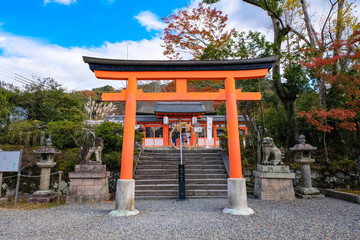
343 85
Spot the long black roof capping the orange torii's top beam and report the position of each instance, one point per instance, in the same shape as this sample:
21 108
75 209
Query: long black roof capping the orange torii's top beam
178 65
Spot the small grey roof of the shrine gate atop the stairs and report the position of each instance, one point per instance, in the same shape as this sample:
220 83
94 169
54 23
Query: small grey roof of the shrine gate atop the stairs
179 107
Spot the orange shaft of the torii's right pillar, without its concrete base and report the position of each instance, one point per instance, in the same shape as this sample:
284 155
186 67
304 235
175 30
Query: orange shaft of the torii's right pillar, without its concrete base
233 130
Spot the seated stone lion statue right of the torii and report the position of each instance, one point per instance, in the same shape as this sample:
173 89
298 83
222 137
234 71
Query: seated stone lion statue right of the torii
271 154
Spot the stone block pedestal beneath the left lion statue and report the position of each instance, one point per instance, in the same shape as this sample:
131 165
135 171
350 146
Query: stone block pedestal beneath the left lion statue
88 184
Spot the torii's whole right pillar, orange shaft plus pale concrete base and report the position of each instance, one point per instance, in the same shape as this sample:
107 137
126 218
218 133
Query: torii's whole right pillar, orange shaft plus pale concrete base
236 183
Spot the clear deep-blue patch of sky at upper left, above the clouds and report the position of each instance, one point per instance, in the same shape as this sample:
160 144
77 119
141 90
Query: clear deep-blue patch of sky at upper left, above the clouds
83 22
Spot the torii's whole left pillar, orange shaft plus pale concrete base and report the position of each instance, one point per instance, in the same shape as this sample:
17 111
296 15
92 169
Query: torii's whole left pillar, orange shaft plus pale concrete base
125 186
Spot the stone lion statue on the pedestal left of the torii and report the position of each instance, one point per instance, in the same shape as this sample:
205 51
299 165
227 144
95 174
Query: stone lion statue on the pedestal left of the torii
95 148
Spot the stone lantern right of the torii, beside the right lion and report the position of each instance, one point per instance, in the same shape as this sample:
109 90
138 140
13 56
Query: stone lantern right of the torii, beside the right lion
303 157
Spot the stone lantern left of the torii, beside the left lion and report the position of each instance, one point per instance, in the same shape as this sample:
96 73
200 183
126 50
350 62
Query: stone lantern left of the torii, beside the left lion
45 195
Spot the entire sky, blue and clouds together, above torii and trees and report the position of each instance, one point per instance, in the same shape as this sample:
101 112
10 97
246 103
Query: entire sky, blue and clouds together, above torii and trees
47 38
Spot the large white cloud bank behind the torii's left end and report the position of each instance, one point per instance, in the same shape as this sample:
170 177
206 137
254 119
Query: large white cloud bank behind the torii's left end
28 57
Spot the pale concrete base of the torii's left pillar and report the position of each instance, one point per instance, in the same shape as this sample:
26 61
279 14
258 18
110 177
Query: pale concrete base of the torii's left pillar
125 198
